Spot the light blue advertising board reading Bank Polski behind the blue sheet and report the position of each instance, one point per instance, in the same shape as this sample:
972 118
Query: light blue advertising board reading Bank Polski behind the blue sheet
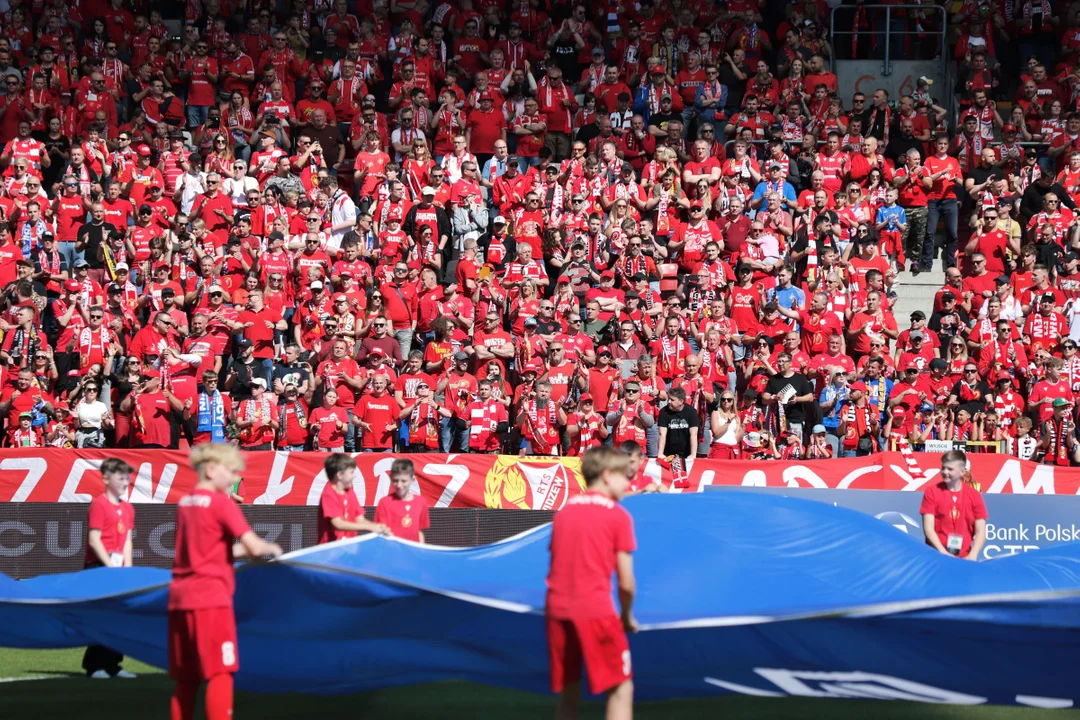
1018 524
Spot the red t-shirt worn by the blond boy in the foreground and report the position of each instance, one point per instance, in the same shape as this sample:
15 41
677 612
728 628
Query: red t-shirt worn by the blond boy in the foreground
208 524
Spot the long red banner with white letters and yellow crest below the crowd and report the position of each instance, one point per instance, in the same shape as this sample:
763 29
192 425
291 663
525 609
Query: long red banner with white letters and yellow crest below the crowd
489 481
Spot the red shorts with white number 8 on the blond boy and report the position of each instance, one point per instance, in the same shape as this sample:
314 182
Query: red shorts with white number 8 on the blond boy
202 644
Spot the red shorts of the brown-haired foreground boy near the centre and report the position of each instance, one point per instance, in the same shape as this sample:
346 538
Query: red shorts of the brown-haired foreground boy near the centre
600 642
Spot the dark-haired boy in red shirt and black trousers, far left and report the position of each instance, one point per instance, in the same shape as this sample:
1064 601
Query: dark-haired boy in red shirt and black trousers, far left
110 546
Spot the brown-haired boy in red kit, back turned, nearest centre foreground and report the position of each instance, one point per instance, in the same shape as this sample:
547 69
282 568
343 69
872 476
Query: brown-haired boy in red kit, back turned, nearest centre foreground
591 539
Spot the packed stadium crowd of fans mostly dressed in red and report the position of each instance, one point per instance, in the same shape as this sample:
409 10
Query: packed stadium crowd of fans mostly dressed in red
534 228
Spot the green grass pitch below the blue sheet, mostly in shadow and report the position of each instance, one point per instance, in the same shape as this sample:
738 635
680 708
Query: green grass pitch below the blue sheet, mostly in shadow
66 695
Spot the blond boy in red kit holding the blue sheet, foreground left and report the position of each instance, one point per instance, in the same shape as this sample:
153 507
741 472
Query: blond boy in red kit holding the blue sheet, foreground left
202 630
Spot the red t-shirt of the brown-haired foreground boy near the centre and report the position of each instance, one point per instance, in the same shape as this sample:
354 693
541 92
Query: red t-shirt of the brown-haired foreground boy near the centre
586 539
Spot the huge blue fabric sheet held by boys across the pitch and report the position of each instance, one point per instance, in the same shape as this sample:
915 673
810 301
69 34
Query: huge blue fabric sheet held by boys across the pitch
738 592
